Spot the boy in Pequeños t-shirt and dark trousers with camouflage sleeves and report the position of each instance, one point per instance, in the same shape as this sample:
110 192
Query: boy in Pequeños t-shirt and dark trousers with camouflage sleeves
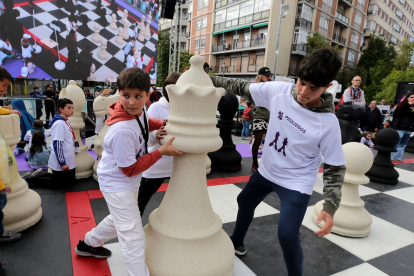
302 130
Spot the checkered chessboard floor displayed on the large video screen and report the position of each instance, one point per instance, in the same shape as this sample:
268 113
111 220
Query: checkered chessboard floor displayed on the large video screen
47 11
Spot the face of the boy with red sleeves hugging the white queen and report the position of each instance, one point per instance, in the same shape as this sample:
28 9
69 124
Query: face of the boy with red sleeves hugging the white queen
133 100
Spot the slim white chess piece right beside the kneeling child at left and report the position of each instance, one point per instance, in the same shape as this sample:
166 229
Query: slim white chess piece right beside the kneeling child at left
84 161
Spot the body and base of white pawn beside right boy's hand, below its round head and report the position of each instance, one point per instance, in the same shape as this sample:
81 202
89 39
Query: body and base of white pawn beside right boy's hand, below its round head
351 219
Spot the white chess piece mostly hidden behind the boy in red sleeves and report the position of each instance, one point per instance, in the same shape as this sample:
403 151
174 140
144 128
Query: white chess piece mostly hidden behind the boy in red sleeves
101 108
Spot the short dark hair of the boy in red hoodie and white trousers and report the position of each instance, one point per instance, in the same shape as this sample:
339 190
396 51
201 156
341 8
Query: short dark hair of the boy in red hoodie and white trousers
134 78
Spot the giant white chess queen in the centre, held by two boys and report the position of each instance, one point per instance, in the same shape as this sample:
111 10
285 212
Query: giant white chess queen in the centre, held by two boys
184 235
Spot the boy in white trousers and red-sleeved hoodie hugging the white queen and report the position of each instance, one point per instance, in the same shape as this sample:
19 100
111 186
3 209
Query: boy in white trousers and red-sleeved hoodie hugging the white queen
123 160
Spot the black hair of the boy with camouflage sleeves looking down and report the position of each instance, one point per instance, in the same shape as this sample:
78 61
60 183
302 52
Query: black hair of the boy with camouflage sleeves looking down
320 67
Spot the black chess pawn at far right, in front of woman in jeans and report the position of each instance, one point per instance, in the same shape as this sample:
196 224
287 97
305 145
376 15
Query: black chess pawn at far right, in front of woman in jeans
383 171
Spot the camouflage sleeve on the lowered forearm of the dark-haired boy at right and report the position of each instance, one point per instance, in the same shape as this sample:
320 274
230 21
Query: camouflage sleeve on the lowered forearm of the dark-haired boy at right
333 178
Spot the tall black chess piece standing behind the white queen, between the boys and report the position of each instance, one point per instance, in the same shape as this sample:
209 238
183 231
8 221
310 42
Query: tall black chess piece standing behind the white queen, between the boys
227 158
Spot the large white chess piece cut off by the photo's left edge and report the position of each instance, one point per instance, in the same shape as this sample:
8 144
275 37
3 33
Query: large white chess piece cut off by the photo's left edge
23 205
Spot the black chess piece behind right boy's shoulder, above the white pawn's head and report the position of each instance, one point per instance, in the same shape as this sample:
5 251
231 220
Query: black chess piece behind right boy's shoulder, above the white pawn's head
348 116
